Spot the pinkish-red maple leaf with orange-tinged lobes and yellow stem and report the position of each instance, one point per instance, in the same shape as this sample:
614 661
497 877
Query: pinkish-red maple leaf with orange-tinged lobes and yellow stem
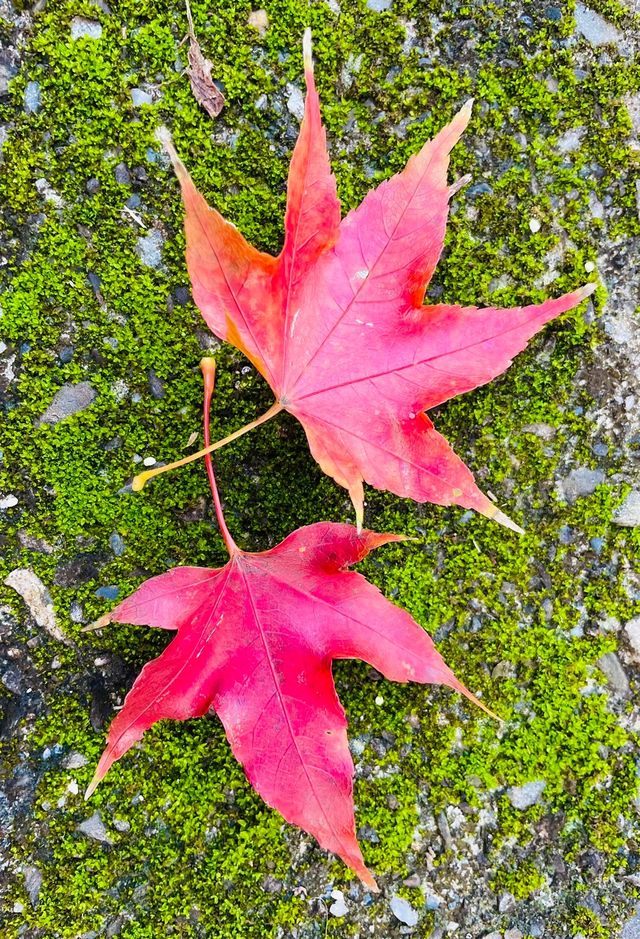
337 326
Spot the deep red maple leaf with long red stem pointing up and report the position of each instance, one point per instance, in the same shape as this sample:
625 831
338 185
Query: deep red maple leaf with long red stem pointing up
255 642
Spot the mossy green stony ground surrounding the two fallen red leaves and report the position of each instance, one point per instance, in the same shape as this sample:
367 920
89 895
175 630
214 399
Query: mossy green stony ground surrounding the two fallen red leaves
195 852
